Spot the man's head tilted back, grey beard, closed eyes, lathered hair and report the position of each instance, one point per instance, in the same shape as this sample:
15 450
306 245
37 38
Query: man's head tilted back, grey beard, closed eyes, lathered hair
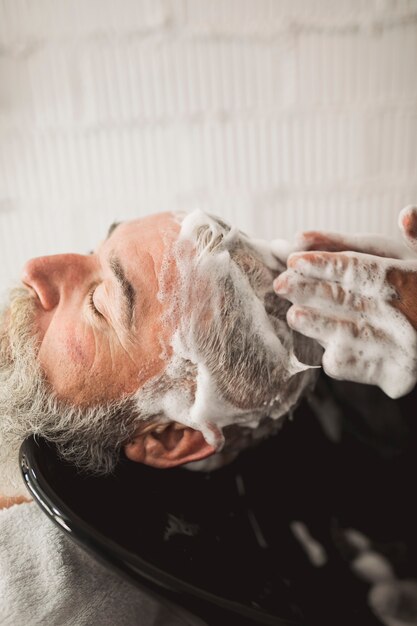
165 337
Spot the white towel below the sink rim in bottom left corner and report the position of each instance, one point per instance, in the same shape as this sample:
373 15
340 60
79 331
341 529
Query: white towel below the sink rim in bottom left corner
47 579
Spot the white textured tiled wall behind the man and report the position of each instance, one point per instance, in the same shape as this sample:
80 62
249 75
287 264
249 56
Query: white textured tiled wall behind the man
277 114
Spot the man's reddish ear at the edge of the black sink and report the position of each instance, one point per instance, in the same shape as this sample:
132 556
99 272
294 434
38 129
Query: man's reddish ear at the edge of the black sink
168 445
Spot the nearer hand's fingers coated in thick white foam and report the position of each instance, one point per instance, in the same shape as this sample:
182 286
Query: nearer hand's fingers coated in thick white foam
350 311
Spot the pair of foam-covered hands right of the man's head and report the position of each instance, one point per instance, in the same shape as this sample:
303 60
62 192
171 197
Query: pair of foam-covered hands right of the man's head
357 296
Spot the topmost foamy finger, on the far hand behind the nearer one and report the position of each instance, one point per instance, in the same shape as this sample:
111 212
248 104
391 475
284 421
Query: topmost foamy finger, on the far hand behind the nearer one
335 242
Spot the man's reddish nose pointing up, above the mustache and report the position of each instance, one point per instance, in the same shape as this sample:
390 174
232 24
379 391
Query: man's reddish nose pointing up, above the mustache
51 277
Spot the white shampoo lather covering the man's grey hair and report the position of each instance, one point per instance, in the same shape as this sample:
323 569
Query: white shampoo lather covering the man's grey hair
232 359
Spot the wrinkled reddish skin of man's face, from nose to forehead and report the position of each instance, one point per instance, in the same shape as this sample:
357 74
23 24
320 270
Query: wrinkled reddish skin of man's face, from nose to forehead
89 356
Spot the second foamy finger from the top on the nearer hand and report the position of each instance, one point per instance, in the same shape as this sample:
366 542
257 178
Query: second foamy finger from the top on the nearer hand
315 293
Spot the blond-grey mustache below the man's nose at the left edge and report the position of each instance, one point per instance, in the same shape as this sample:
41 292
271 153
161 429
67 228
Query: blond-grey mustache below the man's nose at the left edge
17 334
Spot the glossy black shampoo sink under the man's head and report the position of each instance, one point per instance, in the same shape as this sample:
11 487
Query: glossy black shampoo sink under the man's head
220 543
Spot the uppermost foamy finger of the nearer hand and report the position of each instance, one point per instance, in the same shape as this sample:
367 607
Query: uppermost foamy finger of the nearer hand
356 271
